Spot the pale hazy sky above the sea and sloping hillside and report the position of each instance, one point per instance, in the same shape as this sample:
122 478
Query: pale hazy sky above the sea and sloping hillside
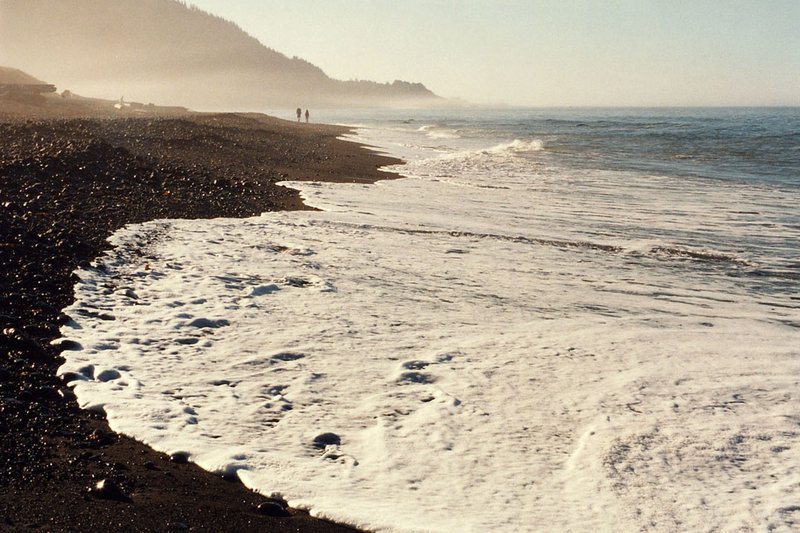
545 52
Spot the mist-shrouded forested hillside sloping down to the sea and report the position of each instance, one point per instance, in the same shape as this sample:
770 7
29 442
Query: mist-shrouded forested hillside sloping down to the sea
167 52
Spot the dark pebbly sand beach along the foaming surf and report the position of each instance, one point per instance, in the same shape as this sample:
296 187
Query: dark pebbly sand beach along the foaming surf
70 175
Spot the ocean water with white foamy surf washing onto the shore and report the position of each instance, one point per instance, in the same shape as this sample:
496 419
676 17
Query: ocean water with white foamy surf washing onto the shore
559 320
